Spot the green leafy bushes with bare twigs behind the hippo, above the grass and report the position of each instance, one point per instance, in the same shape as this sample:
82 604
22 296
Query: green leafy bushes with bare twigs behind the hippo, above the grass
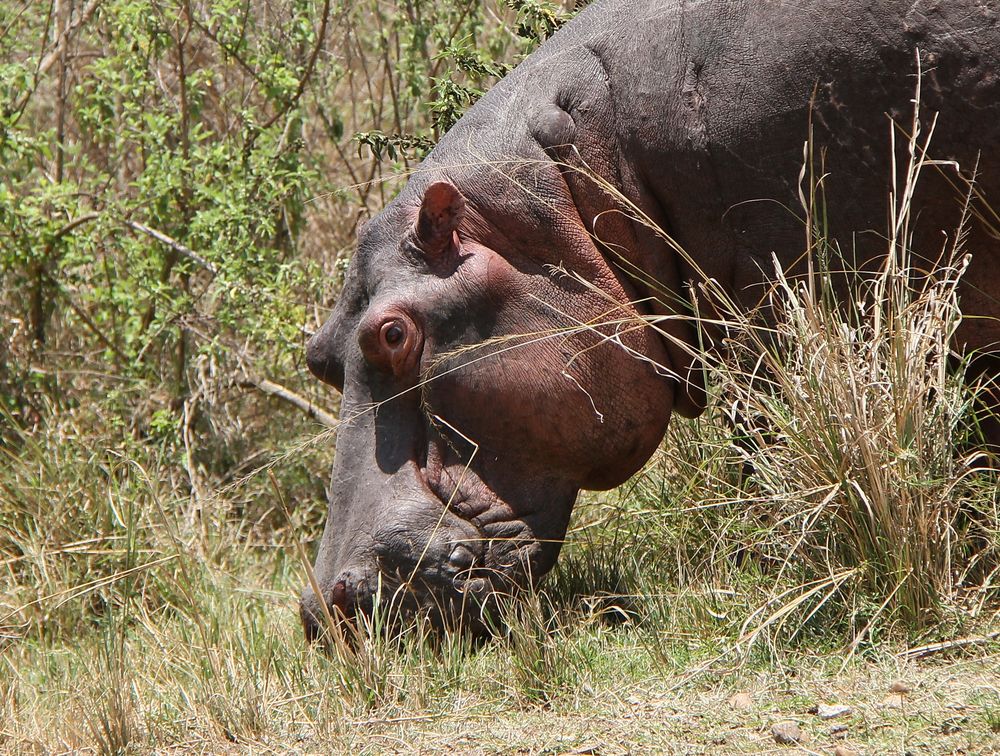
161 165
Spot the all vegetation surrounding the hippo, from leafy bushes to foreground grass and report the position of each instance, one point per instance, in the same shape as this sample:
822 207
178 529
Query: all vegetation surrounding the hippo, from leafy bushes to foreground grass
180 183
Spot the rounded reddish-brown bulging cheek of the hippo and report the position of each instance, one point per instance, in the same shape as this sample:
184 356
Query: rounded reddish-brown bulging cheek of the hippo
588 411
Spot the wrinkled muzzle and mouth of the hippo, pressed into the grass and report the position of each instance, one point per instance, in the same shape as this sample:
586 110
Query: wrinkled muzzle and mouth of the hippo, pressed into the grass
449 549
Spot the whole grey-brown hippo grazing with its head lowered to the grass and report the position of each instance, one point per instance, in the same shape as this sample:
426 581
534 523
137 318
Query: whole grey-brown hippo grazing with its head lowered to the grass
455 473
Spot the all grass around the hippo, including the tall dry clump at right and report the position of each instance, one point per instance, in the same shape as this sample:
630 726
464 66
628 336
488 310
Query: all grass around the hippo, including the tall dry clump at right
790 560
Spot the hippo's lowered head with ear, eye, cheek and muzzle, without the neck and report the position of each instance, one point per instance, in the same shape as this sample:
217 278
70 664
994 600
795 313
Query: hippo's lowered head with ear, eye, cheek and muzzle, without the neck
483 383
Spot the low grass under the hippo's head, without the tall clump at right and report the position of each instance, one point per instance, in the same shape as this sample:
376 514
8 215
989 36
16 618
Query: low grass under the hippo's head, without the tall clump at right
633 645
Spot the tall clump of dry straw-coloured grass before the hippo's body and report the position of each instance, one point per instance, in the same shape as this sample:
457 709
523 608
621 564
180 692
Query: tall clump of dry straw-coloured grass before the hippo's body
843 481
